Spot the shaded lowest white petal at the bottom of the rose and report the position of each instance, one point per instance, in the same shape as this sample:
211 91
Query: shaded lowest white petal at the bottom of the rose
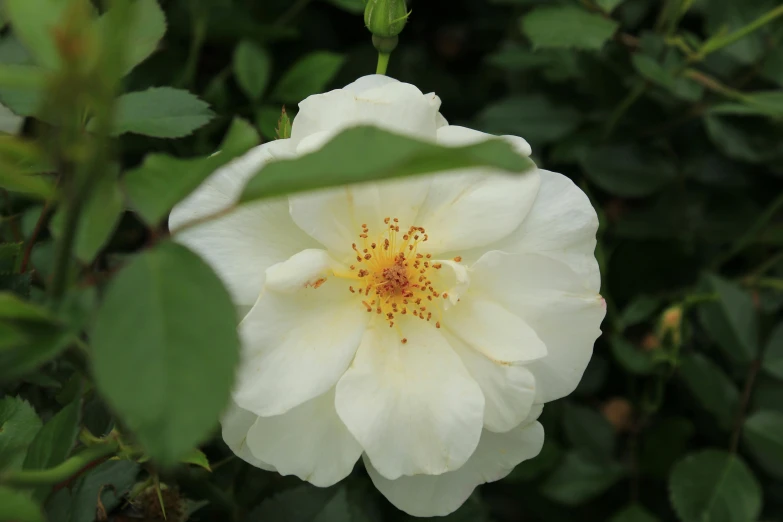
495 457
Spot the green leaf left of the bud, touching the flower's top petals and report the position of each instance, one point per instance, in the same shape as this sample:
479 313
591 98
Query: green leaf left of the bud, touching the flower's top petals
308 75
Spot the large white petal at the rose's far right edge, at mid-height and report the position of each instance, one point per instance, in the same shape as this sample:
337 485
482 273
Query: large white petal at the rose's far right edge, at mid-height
556 303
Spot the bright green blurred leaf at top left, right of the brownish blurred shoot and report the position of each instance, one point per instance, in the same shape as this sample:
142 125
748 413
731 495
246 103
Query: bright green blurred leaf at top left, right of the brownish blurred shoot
149 28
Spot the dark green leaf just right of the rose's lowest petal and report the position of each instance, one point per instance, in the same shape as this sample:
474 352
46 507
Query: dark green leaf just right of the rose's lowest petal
578 479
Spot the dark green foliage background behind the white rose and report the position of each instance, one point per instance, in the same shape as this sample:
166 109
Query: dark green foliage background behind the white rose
680 413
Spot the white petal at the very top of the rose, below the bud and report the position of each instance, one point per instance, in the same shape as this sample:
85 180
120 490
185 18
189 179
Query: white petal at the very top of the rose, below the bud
395 106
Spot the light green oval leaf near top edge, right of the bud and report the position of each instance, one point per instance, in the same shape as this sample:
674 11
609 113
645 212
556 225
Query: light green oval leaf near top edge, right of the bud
567 26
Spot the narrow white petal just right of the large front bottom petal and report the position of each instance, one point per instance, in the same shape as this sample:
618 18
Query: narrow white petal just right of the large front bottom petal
509 391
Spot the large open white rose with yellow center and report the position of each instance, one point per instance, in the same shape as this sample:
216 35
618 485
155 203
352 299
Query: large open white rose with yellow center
419 323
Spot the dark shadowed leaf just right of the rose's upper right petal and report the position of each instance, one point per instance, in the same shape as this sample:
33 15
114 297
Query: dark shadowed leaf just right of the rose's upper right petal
628 170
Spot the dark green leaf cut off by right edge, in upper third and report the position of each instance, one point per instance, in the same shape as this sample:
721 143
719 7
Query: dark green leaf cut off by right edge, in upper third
745 138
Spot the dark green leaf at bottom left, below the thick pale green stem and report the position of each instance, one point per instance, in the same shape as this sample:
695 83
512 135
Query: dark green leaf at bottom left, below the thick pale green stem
108 483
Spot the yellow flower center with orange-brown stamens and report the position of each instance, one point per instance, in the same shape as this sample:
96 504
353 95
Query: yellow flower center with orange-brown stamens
394 278
